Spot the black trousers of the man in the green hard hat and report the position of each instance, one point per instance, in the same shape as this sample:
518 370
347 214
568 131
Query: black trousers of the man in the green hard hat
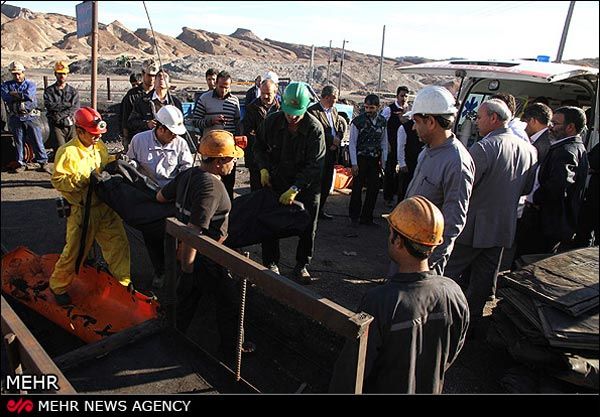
306 243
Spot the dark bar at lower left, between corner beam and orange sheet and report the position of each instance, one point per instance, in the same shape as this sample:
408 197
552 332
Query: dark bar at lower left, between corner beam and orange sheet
105 346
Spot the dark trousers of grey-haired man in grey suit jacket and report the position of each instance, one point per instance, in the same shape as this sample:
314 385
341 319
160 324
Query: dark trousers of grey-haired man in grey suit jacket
484 264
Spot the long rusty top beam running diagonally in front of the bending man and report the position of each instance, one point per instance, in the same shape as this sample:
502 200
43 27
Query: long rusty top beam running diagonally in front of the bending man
330 314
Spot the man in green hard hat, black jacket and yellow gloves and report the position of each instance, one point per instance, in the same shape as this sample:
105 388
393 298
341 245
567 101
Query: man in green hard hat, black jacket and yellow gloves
289 151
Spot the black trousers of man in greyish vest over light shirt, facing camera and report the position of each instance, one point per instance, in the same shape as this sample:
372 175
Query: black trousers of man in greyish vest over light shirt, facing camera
368 175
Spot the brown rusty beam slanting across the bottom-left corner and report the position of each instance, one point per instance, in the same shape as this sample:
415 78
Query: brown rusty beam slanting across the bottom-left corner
34 359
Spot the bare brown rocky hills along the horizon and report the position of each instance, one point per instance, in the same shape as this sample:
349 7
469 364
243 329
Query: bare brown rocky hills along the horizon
39 39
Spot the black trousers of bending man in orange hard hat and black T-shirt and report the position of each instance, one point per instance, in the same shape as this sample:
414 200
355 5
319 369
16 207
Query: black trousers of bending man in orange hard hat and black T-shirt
212 277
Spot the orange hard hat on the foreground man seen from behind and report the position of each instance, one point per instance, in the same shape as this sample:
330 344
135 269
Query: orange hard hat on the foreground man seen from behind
419 220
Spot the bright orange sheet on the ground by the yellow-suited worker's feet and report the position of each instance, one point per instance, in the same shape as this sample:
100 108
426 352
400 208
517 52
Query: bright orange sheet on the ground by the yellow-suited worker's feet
101 306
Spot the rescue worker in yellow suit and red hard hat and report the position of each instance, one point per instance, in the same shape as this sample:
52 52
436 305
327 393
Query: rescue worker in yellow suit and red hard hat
73 165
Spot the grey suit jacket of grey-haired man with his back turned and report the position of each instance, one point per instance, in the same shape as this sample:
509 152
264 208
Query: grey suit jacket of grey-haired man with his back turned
504 170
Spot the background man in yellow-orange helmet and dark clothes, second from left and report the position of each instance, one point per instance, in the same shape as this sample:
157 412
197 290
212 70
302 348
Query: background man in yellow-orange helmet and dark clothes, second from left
61 101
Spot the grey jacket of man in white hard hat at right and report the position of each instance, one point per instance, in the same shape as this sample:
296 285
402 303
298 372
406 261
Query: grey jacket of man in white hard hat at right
444 175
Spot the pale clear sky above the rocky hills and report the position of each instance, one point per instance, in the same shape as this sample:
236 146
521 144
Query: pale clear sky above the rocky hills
490 29
